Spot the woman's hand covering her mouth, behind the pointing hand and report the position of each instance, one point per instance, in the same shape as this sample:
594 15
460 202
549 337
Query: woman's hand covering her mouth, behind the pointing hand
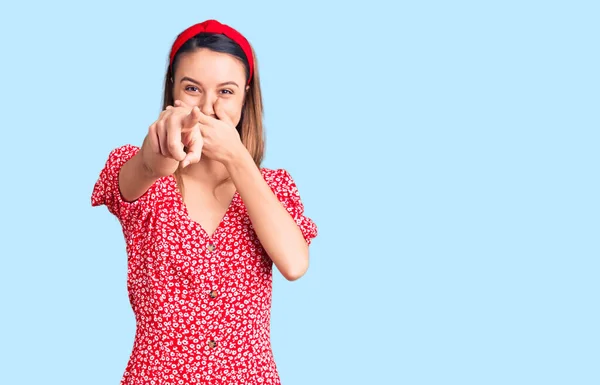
221 139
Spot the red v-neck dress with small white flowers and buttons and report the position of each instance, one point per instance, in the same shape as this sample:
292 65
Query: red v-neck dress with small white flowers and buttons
202 304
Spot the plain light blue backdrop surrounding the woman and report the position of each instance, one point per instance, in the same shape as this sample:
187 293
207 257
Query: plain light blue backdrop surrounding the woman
448 152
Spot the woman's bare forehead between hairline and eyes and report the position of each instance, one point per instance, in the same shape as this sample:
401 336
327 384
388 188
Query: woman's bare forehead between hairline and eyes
209 66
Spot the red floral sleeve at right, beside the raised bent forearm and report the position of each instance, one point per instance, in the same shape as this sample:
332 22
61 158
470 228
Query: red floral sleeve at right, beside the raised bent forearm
288 194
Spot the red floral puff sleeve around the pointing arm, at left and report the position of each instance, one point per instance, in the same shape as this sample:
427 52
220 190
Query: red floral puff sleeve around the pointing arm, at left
107 192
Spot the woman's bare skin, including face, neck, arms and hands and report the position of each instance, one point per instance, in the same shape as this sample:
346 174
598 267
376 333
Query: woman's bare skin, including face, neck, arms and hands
198 134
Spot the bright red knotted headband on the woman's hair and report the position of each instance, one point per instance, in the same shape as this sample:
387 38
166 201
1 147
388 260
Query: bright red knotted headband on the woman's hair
213 26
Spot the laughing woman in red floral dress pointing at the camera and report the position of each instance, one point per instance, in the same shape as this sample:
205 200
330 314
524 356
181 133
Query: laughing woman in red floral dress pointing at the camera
203 222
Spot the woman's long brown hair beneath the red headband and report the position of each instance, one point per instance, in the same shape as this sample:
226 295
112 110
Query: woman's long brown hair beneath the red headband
250 126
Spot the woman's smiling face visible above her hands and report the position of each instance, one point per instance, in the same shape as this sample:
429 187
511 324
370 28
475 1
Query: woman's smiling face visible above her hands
204 78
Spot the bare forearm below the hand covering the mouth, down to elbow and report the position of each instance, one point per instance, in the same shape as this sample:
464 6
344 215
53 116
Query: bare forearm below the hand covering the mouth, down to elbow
277 231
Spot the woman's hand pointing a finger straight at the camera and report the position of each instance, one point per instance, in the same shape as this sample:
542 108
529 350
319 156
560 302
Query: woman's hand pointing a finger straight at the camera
172 139
